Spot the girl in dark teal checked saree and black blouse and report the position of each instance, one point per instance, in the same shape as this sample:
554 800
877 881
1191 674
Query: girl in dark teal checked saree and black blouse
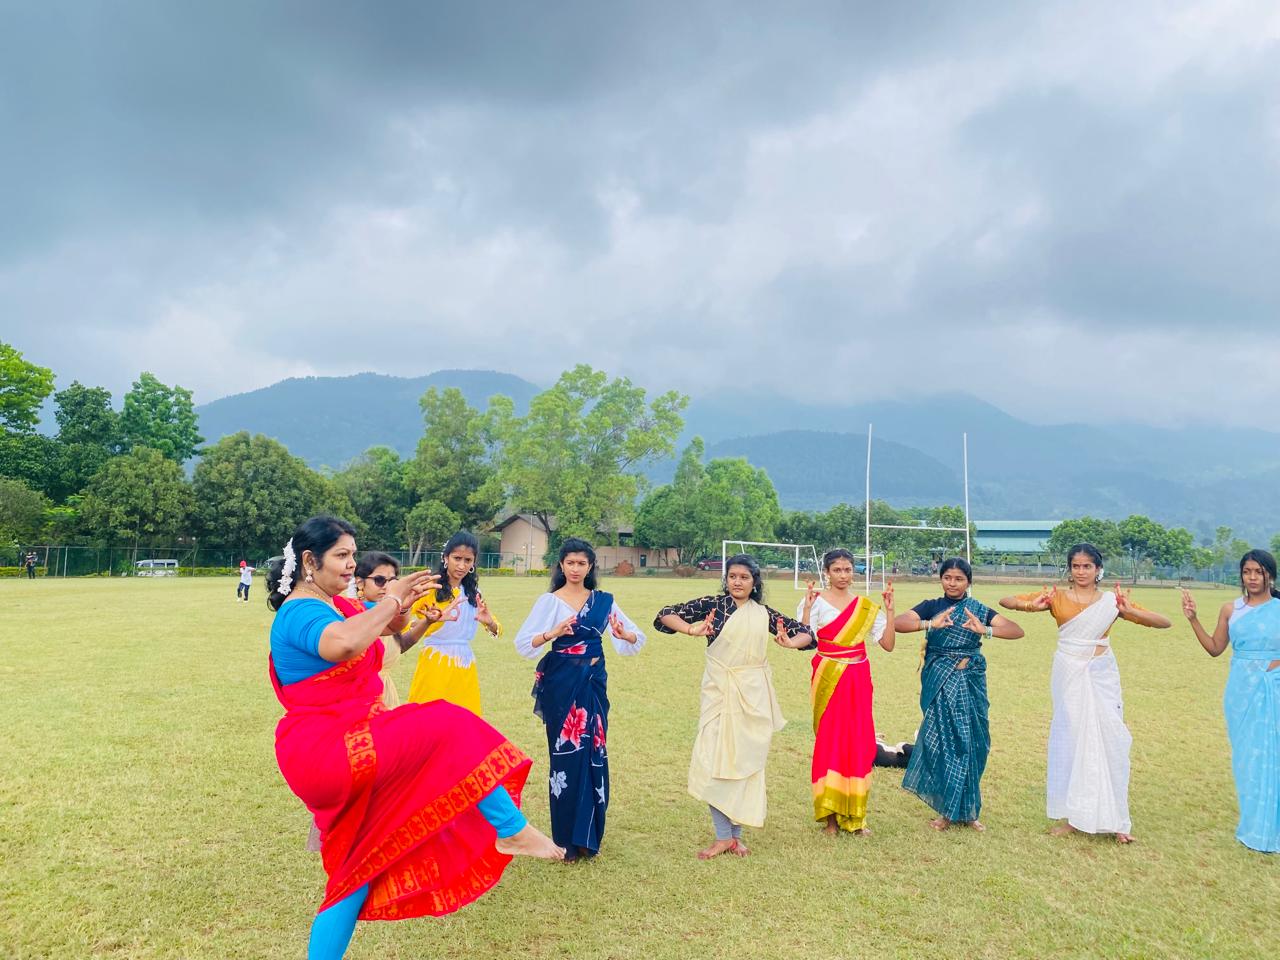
950 753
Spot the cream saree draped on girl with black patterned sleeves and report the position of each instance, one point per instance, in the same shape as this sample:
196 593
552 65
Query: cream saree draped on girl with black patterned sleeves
739 716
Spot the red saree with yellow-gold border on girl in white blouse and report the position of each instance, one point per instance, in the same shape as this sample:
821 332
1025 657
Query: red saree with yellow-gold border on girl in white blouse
840 692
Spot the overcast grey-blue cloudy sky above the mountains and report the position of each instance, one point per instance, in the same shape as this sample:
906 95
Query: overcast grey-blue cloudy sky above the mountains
1068 209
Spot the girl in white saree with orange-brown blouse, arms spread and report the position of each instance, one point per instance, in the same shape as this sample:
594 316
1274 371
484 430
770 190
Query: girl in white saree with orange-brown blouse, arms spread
1089 742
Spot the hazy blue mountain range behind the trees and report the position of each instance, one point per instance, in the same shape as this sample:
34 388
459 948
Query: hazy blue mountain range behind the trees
816 452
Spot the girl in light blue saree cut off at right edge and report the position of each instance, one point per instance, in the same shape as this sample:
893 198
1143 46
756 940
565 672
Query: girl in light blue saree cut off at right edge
1251 625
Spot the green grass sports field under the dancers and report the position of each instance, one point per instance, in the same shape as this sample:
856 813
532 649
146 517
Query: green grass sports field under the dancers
143 815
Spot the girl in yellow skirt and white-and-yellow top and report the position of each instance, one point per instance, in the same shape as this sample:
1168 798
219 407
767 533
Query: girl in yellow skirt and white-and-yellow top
447 665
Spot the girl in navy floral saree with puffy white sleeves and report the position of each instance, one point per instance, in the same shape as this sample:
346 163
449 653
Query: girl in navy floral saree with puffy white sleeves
572 693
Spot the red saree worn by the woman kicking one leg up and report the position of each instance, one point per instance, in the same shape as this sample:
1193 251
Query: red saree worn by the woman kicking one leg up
395 793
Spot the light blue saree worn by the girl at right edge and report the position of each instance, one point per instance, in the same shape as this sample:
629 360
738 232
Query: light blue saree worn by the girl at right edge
1252 707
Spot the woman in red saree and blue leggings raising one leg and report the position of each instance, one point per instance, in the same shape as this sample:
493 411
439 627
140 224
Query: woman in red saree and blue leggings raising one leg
417 807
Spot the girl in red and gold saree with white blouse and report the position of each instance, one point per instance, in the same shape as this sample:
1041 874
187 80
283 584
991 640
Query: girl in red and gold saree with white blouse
844 749
